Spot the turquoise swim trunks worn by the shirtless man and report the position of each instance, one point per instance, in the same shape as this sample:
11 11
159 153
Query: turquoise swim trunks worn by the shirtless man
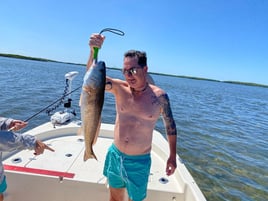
127 171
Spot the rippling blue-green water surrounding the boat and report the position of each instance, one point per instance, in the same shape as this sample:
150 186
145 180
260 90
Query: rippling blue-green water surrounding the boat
222 127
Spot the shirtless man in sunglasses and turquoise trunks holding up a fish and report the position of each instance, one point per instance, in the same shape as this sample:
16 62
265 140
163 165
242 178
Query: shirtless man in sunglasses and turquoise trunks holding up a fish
138 107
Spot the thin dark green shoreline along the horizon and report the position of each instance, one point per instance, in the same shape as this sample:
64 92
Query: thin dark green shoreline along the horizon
180 76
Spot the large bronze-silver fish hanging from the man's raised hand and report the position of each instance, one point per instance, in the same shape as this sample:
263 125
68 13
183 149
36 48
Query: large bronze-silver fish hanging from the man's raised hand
91 104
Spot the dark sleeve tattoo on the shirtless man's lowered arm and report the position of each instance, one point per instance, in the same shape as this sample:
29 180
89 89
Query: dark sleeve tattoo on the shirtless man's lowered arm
167 115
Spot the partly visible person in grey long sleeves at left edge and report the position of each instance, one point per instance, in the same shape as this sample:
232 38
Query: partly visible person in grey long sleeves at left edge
10 141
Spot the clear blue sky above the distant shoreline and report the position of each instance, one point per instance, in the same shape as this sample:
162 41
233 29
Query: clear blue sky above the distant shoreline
216 39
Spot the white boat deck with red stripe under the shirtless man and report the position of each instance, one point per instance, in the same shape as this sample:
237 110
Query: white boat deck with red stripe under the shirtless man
64 176
